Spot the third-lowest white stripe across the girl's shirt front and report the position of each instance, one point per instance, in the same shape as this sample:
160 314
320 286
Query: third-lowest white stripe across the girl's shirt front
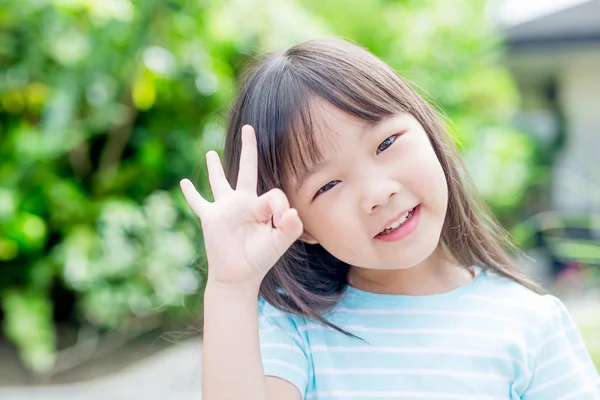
411 350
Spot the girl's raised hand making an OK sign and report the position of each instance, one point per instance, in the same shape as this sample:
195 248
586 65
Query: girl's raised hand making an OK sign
244 234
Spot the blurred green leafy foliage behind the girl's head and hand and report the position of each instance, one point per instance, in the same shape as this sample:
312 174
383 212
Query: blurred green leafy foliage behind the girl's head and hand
105 105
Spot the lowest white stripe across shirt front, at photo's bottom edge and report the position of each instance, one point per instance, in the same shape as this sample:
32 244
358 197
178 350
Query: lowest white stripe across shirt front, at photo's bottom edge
374 394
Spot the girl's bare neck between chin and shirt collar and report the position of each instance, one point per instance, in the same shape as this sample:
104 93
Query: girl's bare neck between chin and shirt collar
439 273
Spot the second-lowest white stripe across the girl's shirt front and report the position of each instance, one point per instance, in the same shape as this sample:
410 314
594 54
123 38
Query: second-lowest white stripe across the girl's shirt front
396 371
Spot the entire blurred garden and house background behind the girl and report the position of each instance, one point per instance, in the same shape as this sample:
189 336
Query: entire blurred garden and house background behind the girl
106 104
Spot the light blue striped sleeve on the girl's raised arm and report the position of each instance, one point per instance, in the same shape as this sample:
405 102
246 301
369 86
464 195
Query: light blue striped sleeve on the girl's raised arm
282 348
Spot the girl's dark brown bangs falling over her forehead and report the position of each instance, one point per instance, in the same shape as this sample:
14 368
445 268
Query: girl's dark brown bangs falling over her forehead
291 89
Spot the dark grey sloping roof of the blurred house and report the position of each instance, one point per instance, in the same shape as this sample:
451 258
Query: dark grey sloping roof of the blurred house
574 25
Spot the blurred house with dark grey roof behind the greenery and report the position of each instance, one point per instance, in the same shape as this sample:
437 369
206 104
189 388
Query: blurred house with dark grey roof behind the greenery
555 59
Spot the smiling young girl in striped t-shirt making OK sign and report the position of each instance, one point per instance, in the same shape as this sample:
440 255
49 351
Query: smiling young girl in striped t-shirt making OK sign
347 259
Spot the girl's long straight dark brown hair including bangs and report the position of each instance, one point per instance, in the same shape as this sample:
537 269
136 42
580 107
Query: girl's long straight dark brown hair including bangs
276 98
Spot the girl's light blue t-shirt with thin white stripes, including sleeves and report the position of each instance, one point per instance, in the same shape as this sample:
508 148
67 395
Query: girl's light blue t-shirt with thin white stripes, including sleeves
489 339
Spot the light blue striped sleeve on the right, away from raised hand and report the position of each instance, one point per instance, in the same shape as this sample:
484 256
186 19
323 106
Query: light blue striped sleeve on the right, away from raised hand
563 368
